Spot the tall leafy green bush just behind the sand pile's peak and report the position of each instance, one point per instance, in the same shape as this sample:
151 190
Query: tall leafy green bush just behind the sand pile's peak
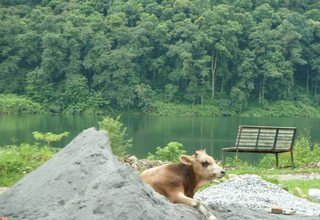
117 133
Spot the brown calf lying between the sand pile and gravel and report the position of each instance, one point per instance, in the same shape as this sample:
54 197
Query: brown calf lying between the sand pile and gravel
179 182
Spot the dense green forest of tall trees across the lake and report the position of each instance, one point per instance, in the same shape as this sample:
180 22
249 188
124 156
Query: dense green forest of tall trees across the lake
71 55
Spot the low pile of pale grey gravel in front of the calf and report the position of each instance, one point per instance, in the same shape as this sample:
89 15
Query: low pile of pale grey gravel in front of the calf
253 192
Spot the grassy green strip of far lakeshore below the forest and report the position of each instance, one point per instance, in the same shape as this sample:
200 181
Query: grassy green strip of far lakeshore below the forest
14 104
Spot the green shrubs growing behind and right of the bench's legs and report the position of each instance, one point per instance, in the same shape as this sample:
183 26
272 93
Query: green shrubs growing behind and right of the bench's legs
304 153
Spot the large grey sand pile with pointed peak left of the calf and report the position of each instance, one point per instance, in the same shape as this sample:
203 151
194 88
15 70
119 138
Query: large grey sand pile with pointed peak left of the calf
85 181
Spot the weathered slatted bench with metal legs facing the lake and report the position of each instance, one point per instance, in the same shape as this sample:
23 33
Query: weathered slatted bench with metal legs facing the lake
264 139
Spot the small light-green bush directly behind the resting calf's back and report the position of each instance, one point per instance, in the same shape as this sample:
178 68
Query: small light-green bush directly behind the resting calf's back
170 152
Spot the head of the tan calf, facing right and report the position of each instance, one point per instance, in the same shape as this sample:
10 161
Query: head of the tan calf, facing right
203 165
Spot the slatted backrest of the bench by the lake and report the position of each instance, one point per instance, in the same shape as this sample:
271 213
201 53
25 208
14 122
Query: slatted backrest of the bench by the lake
266 137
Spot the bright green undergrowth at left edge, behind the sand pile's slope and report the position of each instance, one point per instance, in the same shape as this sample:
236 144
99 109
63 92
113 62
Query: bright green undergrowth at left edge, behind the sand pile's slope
16 161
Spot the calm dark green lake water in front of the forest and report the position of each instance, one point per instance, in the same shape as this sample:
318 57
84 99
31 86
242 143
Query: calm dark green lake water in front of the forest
148 132
